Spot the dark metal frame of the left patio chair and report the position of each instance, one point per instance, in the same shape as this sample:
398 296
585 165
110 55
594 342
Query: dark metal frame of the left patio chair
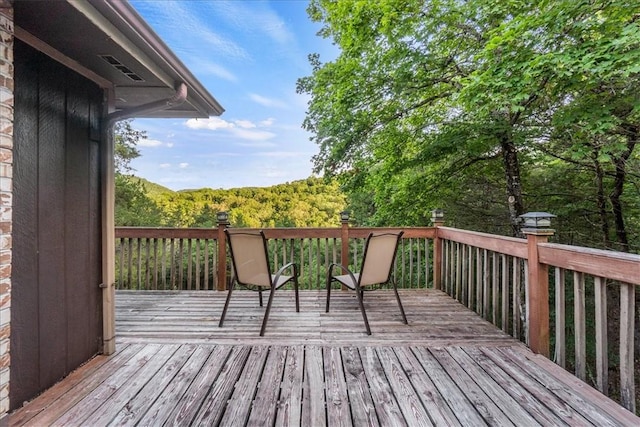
276 280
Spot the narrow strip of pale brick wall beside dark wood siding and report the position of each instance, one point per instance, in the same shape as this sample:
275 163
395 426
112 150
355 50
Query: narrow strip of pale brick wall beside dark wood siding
6 168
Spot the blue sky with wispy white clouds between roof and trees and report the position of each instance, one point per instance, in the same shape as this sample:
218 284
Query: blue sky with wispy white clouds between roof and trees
249 55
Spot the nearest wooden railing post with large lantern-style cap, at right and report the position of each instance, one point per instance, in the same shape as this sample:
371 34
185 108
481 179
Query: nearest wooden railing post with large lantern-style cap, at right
536 230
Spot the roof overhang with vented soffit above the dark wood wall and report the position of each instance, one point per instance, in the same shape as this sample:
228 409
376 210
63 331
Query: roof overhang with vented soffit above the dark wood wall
109 43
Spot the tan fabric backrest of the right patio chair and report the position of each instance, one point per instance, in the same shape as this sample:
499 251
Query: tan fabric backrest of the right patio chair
378 258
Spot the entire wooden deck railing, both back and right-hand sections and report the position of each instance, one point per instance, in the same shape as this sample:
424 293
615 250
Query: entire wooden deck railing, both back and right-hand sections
534 290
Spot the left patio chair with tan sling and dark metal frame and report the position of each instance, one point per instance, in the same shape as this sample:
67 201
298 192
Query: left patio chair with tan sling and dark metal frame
250 260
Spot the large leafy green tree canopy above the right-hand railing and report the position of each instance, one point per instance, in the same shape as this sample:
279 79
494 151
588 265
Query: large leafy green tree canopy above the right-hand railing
487 109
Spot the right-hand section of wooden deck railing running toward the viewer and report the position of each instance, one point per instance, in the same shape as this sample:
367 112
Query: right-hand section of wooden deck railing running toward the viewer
531 289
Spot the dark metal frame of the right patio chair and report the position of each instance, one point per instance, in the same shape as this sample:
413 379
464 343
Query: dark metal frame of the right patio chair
353 280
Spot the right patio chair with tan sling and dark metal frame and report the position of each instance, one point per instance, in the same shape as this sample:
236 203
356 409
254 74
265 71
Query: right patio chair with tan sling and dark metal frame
376 269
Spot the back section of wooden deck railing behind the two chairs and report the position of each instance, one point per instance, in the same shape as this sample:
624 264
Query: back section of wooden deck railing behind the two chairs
190 258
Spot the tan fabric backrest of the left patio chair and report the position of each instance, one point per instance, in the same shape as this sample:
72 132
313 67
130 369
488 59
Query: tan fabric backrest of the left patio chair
249 257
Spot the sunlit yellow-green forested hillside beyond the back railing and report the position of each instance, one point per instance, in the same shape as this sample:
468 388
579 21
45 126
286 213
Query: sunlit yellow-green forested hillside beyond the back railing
305 203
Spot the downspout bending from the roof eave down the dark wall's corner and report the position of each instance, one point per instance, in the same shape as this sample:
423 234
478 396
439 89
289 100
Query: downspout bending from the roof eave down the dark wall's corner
108 210
